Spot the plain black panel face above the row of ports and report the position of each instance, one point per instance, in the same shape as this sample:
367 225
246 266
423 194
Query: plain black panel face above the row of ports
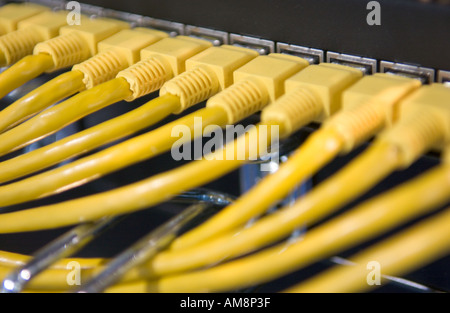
410 32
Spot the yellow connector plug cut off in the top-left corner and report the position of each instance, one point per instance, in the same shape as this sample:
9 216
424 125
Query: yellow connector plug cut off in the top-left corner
12 13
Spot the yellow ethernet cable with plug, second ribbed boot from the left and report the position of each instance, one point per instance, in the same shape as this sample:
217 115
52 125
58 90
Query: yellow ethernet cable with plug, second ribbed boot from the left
75 44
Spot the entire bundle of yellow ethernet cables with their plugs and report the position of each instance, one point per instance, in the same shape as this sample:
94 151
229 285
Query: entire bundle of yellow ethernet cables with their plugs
105 60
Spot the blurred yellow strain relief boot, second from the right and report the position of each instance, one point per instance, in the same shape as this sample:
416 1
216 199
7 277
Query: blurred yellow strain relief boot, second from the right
358 124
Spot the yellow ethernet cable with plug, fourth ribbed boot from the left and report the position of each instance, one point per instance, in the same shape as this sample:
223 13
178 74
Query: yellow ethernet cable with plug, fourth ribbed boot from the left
161 61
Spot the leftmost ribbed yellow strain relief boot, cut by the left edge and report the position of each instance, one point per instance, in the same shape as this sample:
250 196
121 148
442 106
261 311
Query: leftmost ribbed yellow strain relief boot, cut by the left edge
18 44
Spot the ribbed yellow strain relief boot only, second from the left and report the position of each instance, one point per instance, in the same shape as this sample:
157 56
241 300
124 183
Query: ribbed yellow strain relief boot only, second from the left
65 50
